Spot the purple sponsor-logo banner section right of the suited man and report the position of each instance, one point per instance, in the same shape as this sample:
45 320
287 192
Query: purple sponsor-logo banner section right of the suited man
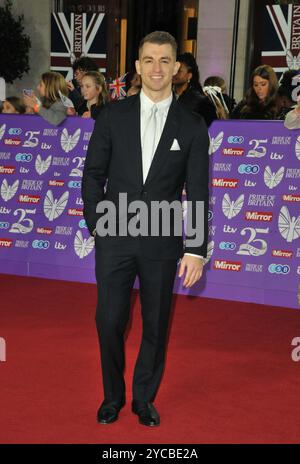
254 215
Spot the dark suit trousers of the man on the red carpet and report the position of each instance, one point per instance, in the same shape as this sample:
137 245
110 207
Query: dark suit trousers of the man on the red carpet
116 270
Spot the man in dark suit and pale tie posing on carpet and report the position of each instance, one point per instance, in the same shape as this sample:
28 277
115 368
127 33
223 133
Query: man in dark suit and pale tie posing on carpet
145 148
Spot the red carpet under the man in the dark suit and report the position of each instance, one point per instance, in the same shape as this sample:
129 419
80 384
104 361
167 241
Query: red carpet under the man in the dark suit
229 376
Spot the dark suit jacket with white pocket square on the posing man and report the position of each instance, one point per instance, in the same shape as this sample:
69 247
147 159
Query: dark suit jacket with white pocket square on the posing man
114 155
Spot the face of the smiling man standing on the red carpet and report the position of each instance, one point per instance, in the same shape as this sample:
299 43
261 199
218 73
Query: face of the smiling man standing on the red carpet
157 66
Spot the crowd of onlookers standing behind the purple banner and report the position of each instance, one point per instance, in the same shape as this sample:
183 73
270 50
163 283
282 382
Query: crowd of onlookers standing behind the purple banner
55 98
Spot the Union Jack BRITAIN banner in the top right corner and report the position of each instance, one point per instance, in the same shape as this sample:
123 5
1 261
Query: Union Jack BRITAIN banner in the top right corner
281 37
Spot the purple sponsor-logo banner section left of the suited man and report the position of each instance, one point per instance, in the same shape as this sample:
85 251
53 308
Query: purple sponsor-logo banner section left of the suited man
42 230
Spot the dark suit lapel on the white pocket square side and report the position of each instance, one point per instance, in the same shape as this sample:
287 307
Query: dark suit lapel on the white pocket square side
163 148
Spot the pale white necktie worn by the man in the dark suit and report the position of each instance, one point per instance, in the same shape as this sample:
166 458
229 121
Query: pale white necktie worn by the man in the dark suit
149 141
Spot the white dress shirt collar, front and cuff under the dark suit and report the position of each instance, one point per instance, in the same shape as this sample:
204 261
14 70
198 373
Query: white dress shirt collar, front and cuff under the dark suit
163 107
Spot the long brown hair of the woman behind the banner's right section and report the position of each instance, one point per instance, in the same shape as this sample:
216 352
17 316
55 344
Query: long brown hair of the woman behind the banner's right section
270 105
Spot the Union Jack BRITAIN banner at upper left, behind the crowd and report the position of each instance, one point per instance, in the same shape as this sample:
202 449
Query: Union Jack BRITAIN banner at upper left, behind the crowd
74 35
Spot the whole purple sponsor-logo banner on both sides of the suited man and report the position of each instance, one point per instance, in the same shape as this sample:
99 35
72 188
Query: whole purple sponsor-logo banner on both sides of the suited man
254 216
